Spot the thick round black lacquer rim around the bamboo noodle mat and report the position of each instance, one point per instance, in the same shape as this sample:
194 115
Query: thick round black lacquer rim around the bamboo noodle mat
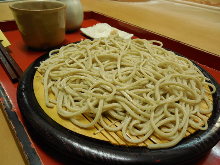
71 145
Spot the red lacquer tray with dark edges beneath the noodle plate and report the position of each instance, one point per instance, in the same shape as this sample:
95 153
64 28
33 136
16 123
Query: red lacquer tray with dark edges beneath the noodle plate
24 57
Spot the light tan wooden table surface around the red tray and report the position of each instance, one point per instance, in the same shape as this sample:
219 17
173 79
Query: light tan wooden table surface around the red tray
193 24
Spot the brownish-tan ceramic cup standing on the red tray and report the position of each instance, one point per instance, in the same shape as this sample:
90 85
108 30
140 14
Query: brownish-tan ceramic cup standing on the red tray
41 22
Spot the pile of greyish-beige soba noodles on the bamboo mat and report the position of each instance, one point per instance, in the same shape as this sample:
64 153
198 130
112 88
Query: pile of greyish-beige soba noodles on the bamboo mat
136 83
